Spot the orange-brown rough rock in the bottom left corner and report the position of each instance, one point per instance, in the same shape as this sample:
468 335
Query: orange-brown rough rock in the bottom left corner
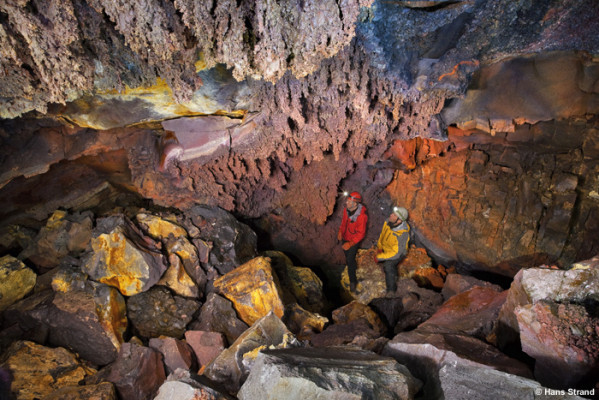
37 371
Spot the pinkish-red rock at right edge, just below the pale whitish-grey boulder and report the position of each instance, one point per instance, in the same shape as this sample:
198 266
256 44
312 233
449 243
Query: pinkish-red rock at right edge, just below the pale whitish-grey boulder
564 341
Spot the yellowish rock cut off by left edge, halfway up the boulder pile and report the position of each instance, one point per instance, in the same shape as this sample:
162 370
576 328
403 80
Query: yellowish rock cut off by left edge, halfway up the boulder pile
16 281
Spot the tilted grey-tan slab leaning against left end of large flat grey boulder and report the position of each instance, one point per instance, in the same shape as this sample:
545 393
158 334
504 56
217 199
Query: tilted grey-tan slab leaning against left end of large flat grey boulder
231 367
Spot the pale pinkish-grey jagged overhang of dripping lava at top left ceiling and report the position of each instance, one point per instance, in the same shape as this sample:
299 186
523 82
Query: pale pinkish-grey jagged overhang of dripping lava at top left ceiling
55 51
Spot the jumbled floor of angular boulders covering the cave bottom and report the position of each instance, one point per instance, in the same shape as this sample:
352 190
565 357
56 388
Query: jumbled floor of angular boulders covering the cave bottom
141 303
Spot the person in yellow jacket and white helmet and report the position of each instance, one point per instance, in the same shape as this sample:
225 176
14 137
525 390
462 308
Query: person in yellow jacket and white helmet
392 246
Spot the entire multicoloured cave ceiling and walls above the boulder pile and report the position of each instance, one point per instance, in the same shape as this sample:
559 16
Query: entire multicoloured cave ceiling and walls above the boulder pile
269 108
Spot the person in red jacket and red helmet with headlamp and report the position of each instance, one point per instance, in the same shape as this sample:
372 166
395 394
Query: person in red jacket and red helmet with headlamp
351 232
